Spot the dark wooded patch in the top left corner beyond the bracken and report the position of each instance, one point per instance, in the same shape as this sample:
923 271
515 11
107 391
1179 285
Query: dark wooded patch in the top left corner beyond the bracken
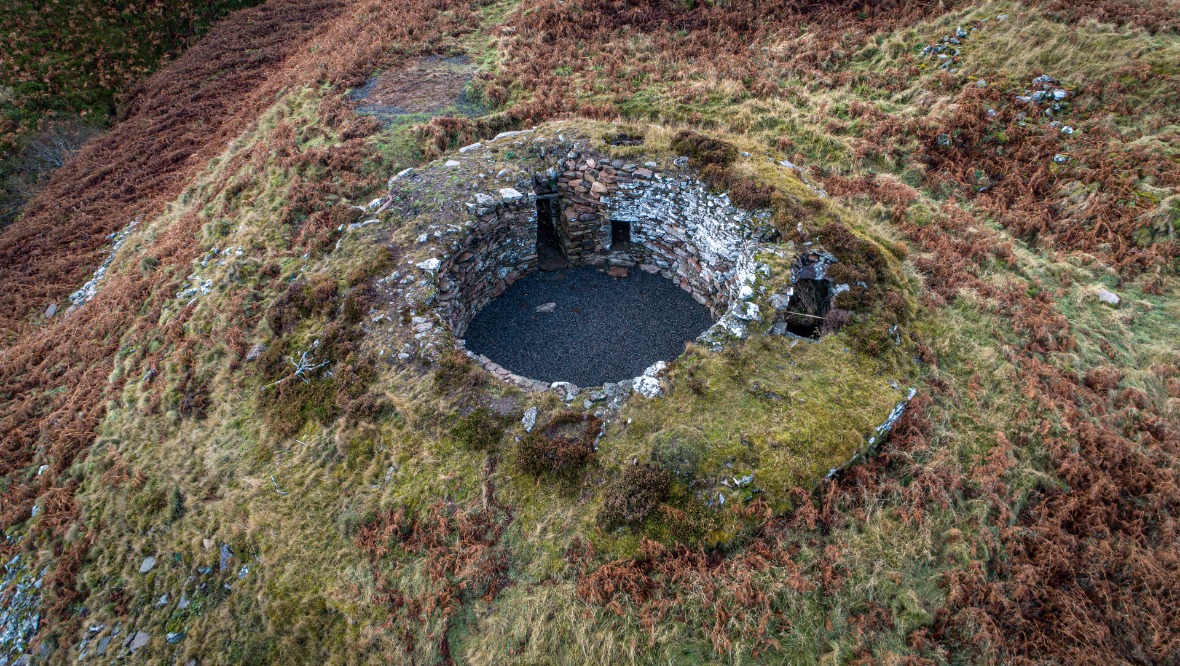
63 69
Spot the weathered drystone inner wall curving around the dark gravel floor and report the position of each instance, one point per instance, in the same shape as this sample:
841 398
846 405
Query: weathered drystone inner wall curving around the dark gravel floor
678 230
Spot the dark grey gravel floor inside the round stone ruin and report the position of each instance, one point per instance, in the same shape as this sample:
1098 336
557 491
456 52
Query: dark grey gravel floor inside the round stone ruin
602 330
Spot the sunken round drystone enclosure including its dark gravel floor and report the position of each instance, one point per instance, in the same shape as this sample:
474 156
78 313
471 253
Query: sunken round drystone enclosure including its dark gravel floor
651 220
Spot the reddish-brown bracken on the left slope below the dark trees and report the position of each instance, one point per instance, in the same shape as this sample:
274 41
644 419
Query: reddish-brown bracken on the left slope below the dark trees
55 378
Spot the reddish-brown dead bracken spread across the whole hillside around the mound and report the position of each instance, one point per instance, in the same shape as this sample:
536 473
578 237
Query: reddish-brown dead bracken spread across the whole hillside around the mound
1083 572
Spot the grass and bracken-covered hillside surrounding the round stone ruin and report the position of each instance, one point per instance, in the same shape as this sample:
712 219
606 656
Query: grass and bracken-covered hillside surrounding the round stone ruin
999 181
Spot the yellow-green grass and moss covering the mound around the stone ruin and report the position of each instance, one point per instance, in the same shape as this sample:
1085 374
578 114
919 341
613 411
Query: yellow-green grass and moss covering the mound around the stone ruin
291 506
